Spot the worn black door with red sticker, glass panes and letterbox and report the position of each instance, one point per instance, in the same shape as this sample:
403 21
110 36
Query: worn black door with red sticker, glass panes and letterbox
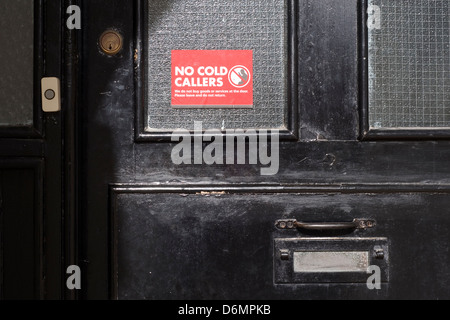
354 97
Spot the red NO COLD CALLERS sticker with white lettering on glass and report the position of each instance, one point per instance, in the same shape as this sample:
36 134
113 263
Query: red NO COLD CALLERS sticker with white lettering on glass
212 78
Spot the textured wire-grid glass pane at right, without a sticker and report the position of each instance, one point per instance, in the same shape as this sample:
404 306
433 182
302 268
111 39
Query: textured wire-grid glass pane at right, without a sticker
409 64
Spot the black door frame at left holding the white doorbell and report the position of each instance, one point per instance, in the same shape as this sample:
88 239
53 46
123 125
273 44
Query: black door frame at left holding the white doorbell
49 148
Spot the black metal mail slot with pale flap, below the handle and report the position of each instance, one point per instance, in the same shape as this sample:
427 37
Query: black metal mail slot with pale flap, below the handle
329 260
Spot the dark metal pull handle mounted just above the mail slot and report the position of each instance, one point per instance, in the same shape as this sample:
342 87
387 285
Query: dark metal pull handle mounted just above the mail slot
325 226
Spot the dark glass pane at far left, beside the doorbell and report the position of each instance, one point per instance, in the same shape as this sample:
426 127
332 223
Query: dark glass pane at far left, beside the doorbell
16 62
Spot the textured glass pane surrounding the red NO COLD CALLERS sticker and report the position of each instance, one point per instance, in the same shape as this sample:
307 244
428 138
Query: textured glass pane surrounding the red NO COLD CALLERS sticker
257 25
